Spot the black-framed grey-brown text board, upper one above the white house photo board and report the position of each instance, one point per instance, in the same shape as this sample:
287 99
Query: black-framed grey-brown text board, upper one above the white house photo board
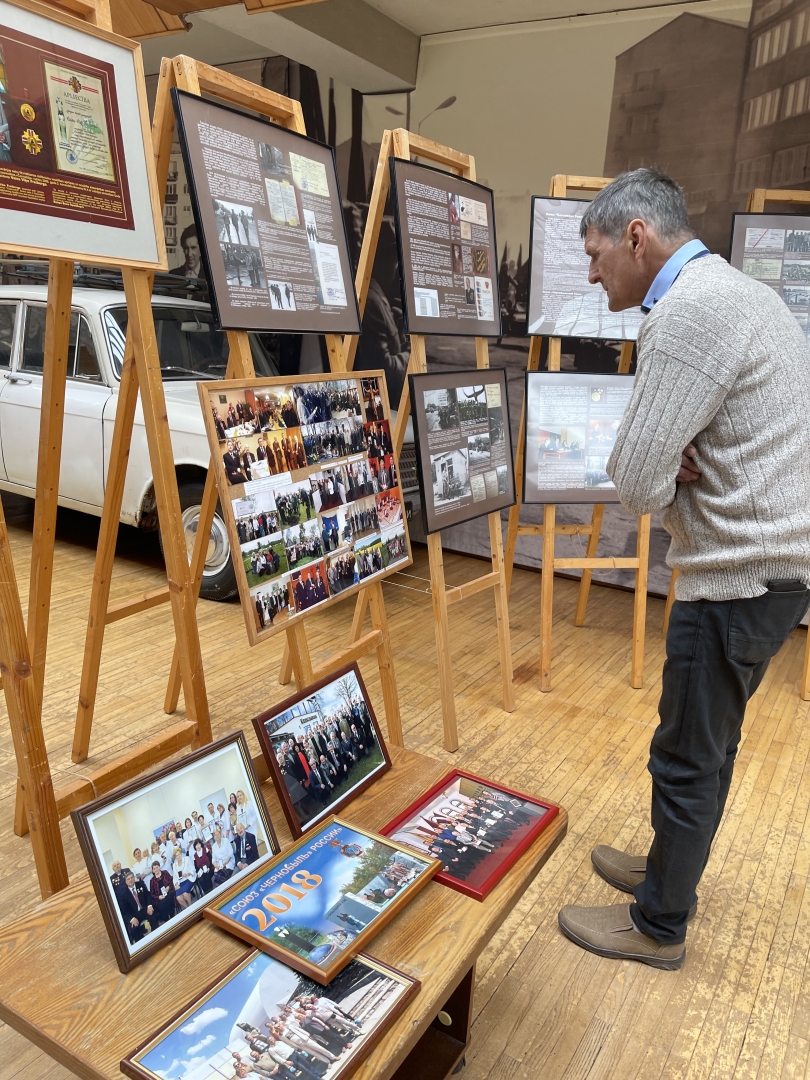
449 255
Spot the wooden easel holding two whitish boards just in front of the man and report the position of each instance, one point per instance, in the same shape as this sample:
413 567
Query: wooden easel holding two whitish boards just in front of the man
549 530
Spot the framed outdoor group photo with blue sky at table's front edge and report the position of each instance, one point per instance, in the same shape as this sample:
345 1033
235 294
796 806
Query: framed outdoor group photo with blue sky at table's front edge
263 1019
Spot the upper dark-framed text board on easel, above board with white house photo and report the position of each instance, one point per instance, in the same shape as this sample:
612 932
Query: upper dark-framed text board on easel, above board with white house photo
454 185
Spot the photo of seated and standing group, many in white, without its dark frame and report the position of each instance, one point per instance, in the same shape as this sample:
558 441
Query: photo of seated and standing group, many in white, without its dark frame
168 846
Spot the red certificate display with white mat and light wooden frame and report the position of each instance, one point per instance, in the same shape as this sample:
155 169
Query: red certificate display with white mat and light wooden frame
80 233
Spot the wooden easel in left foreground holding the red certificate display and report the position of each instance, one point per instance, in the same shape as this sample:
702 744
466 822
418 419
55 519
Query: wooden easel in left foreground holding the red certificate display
38 807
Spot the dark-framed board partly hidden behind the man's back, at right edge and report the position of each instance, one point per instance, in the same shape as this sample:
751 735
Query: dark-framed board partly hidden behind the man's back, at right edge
776 250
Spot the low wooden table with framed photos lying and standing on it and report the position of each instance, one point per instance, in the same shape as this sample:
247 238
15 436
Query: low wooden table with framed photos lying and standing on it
61 988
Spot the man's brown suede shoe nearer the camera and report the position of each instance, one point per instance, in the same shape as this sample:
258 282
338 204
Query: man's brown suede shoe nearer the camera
610 931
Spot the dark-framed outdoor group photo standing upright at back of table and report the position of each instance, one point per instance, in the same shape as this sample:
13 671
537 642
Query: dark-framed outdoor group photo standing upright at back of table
285 788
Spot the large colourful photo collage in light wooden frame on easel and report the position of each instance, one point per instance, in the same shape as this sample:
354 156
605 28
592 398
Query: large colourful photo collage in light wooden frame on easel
279 479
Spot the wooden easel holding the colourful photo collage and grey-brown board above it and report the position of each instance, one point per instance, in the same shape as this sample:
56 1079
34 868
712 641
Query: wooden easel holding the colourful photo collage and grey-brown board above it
198 78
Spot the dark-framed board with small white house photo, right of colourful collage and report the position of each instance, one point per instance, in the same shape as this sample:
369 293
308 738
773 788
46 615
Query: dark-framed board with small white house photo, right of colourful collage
428 431
